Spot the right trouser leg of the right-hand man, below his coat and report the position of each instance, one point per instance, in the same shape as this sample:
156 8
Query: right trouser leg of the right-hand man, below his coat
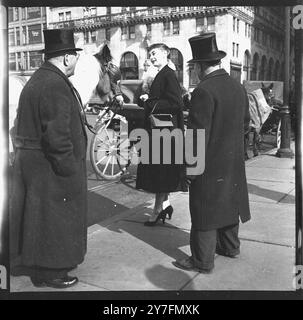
228 242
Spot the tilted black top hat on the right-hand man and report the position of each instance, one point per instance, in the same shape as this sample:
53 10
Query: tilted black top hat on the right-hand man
204 48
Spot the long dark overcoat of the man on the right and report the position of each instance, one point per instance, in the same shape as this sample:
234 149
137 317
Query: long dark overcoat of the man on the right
219 196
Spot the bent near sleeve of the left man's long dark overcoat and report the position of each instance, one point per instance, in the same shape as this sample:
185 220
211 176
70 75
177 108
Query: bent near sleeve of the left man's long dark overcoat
55 112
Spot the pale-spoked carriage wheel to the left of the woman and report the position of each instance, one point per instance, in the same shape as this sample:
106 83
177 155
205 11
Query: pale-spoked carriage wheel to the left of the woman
110 156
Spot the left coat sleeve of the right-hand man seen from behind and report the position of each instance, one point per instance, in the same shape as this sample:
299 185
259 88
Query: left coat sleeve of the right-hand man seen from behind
200 116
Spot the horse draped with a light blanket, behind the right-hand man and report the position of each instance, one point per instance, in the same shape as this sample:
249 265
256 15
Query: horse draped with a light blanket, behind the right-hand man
257 121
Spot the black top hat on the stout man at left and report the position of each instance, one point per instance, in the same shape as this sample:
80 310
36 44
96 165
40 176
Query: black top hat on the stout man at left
59 40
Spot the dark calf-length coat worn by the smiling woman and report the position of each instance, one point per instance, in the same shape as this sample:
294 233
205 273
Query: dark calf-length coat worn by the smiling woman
161 177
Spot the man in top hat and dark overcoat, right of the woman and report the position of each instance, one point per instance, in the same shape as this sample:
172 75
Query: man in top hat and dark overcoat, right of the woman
218 197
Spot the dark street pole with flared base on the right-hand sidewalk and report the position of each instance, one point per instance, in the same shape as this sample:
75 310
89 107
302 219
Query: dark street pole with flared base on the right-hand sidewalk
284 151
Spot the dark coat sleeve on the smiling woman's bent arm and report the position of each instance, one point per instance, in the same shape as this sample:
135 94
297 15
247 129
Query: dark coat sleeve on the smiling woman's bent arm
172 101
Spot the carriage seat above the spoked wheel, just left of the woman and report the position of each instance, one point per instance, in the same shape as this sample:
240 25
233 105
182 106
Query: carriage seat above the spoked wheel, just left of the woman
131 91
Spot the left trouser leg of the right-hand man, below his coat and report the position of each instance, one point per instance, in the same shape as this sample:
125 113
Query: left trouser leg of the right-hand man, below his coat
203 248
